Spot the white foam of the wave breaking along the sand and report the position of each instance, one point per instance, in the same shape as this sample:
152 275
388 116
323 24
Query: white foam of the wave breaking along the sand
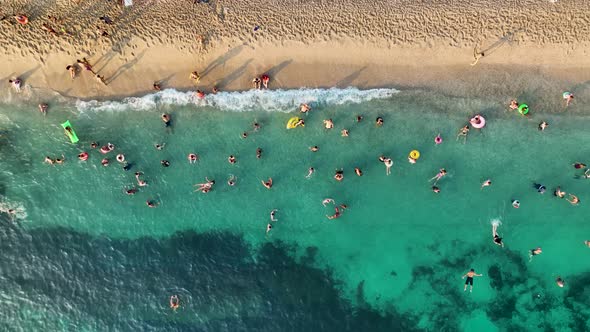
252 100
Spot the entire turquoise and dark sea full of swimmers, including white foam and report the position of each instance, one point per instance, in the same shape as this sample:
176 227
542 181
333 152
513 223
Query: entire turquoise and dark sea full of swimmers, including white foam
82 255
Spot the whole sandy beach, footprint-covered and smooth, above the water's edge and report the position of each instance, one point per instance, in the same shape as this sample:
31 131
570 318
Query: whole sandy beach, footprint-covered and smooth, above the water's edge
430 44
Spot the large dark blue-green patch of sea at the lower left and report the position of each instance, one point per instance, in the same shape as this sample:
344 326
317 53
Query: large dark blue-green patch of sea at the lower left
111 284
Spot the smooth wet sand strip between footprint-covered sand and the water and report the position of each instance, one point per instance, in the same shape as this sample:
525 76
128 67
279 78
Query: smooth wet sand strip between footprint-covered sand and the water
231 68
